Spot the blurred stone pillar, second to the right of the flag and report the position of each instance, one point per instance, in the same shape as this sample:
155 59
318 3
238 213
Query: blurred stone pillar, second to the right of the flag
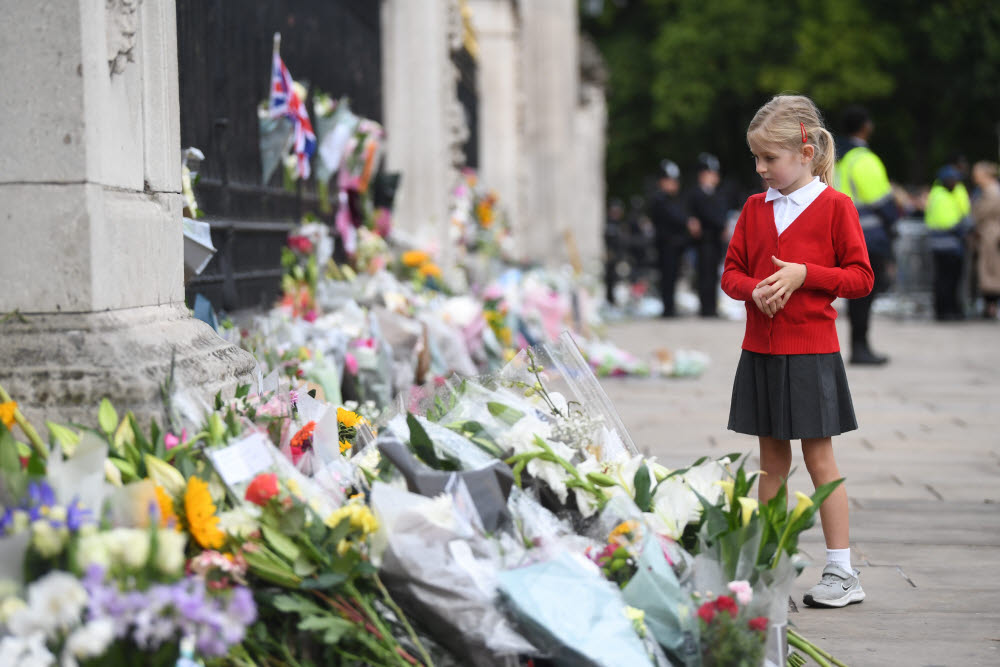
501 148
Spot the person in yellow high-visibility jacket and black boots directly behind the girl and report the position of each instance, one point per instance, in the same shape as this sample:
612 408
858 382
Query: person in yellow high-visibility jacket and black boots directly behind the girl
860 174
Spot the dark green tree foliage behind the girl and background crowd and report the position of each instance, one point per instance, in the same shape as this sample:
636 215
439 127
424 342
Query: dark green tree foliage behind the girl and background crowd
686 76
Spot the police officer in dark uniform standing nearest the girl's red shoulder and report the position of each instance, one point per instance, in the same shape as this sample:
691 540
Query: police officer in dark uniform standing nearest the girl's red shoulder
707 206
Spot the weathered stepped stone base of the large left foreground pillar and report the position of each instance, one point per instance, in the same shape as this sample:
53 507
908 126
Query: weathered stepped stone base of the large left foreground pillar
58 366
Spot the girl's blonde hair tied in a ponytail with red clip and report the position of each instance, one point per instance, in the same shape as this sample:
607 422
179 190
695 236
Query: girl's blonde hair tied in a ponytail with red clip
780 123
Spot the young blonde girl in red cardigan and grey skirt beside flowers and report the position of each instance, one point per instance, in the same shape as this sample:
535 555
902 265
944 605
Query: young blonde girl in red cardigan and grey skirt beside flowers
796 248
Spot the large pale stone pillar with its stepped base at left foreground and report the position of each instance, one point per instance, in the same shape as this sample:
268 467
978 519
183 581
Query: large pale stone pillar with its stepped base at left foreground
92 252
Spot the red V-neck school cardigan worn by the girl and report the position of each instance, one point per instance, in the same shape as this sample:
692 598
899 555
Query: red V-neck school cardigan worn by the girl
827 238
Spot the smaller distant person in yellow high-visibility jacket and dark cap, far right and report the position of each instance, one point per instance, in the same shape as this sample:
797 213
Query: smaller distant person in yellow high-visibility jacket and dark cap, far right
947 220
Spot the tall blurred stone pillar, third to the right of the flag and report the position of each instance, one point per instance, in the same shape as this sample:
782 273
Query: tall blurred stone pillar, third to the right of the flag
550 71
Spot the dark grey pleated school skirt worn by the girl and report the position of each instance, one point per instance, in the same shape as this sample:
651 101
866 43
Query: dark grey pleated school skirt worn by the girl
791 396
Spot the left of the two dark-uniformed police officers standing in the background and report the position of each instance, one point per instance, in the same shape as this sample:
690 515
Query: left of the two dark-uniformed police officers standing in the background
666 211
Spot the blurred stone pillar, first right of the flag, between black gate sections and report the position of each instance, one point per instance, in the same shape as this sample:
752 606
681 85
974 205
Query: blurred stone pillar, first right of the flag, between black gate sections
421 111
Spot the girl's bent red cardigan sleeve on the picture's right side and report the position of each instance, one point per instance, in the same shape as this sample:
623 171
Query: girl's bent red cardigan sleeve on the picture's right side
853 277
